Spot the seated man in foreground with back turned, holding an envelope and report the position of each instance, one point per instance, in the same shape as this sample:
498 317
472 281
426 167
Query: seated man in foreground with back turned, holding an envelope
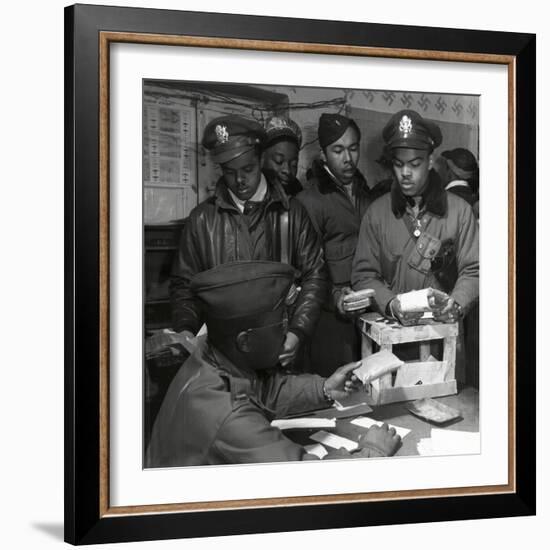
219 407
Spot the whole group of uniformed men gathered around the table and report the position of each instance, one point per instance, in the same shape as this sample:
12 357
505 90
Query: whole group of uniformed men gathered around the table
266 264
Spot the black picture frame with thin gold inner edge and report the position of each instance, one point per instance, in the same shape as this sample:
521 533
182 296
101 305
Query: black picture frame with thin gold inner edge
87 516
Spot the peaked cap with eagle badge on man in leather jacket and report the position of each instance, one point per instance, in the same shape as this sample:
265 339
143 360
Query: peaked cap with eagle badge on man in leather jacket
230 136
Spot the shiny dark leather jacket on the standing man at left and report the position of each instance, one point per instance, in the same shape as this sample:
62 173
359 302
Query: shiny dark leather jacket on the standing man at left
216 232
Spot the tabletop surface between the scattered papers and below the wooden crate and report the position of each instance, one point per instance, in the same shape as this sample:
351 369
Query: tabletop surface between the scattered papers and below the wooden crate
466 401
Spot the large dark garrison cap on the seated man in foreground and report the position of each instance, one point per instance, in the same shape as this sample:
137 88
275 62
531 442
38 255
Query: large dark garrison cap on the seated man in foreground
247 289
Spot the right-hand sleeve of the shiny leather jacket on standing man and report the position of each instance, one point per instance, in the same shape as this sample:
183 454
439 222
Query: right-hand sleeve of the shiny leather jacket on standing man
307 257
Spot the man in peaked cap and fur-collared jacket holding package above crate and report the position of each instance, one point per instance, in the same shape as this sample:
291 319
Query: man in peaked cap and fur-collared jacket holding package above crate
417 236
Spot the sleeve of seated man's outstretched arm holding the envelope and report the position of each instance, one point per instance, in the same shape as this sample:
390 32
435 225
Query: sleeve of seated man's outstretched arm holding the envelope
293 393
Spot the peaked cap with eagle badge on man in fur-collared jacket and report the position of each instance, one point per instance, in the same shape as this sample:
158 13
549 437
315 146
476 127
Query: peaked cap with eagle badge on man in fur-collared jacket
409 130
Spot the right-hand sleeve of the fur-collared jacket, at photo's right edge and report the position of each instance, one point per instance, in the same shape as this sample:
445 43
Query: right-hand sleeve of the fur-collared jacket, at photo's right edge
466 289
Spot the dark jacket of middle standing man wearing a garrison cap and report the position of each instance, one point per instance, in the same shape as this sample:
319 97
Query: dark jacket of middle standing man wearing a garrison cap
337 219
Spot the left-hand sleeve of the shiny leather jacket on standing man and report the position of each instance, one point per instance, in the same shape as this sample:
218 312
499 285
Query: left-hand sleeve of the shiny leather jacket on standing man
186 311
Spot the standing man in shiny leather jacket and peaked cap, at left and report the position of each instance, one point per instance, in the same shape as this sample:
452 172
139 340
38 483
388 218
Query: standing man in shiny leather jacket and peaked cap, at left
243 220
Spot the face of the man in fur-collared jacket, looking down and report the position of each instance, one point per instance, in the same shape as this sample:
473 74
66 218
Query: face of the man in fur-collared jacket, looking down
411 168
